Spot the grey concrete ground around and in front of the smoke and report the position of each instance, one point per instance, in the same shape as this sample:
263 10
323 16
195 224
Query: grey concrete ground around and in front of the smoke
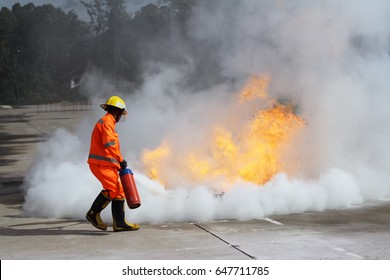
360 233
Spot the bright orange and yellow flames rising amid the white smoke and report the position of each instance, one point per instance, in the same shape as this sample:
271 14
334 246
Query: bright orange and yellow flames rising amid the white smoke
253 153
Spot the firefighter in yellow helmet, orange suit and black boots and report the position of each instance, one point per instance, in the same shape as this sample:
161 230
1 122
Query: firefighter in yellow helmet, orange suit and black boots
105 160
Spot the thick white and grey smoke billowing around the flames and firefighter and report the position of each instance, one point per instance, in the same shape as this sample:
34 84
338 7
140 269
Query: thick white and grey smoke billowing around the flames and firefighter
330 57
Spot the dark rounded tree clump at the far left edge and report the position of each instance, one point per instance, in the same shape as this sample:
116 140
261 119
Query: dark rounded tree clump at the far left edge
37 50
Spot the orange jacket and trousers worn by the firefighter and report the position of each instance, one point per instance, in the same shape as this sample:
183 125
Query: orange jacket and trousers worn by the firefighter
105 156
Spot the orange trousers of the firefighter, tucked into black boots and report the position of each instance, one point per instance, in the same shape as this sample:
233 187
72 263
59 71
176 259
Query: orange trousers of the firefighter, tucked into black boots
110 180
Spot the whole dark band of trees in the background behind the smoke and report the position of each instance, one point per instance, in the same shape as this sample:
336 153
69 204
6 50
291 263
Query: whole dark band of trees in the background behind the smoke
42 47
